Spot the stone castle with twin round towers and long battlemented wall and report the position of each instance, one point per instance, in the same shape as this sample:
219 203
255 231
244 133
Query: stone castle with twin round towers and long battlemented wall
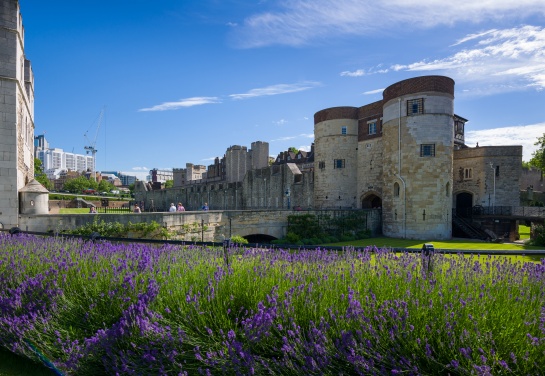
404 154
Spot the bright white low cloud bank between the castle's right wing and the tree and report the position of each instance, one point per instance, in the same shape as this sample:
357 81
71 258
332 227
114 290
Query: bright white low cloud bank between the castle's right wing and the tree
525 135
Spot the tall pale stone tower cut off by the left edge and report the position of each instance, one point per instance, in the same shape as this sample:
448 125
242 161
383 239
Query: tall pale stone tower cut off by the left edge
16 113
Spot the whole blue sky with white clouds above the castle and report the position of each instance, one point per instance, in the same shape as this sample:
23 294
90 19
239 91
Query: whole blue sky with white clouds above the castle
181 81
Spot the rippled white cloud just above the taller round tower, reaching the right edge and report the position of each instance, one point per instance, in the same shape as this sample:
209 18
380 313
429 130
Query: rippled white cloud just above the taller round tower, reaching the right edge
499 60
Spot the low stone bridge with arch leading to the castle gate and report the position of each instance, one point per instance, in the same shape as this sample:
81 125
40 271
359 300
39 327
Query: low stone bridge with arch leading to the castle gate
214 225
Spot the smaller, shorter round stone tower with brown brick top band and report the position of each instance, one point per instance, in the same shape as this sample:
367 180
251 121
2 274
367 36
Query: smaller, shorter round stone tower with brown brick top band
335 157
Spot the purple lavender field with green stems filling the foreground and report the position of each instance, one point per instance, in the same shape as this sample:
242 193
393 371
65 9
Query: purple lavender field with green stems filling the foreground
135 309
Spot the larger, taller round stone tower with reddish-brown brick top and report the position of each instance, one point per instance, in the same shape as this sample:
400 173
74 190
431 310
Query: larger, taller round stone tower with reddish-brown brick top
418 141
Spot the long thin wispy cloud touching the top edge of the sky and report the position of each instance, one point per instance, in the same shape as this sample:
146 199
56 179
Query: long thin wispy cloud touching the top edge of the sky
300 22
